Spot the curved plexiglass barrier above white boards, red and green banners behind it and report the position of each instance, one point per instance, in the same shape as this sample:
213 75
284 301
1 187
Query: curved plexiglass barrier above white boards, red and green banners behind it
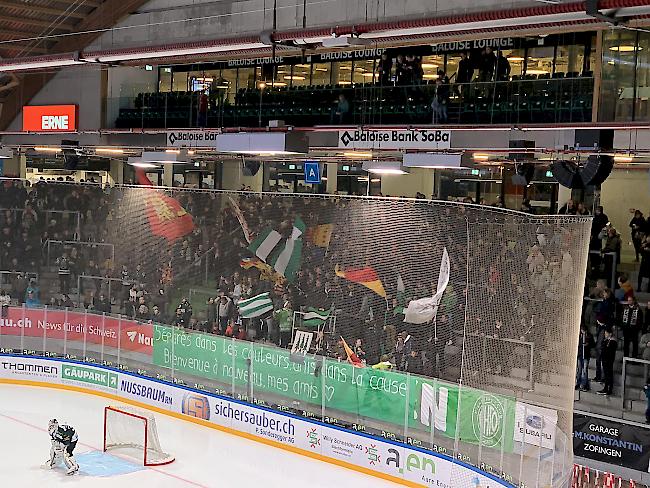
481 428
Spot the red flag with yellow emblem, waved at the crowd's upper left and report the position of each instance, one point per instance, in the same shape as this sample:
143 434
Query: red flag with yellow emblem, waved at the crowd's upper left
167 217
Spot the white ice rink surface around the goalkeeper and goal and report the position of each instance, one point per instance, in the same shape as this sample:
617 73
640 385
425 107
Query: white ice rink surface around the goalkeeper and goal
204 457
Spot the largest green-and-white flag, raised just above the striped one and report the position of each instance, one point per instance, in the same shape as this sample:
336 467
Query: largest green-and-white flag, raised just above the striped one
285 260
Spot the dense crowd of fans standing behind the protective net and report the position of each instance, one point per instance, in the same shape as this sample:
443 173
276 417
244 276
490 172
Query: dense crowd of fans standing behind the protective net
516 271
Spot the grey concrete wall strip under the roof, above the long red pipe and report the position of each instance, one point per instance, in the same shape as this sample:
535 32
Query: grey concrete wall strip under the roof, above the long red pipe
162 21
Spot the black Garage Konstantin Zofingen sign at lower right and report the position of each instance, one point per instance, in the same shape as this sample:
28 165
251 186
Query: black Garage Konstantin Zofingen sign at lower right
611 442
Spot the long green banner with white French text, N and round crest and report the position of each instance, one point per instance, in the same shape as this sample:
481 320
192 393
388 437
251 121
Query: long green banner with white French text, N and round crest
362 392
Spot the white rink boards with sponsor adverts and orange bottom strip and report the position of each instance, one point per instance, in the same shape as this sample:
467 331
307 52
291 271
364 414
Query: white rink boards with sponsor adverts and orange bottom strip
354 450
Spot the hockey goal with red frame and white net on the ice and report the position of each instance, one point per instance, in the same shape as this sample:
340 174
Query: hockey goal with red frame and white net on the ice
134 432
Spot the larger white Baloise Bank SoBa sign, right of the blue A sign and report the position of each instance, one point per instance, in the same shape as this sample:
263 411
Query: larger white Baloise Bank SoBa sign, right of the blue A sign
395 139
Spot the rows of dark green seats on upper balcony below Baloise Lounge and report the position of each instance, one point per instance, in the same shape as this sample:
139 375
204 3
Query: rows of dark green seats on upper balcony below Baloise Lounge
551 100
